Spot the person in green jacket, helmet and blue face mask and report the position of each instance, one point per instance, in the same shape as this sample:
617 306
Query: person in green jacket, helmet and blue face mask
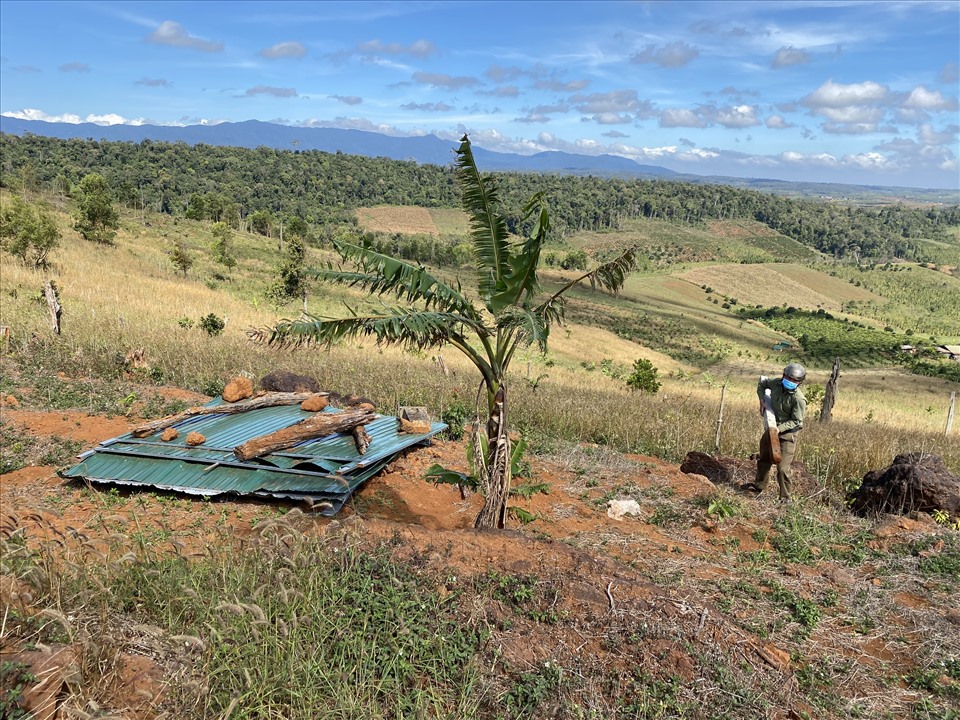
789 407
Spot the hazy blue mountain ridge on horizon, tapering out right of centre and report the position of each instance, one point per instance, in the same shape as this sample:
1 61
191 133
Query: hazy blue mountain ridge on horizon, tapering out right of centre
426 149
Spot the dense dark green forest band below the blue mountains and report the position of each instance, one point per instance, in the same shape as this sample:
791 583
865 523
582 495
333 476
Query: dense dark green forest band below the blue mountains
260 188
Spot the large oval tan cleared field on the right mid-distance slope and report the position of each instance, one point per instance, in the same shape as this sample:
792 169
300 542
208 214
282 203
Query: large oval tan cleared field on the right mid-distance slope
771 285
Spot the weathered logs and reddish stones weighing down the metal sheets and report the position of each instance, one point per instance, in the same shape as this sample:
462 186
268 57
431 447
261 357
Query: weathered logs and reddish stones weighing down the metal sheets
239 398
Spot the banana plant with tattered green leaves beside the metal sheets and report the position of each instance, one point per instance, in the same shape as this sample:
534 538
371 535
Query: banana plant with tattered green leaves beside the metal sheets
513 311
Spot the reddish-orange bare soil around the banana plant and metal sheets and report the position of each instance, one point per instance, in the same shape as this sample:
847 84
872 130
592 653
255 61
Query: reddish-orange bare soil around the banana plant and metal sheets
673 565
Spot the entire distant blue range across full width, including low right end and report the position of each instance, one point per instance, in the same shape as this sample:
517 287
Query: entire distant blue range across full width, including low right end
429 149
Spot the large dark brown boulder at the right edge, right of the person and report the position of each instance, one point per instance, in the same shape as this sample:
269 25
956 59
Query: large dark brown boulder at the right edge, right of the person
914 482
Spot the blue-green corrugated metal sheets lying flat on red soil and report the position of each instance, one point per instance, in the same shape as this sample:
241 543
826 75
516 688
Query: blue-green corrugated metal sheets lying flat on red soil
323 472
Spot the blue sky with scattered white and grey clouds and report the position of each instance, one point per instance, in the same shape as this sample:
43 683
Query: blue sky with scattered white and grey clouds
862 92
